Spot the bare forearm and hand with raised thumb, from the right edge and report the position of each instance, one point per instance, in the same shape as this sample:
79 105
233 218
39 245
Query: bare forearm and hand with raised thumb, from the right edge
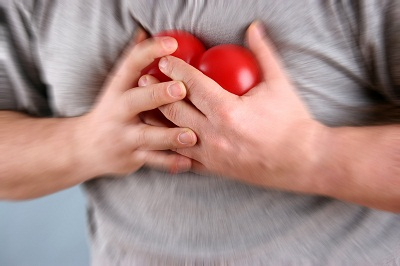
269 138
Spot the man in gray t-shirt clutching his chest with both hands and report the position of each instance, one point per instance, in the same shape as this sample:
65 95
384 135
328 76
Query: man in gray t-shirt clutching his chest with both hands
293 172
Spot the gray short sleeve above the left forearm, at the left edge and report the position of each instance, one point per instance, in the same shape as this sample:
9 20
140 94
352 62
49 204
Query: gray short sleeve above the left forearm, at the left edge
21 86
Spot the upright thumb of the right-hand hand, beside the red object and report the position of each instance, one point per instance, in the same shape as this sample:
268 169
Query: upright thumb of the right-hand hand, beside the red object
263 49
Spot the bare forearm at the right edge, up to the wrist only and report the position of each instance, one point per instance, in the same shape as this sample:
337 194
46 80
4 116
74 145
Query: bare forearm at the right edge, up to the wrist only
362 165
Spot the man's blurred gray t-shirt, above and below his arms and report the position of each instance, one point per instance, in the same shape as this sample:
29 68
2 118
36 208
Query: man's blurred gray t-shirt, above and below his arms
343 56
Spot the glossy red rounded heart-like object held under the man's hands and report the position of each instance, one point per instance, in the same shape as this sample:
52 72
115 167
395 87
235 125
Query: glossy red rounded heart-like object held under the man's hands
233 67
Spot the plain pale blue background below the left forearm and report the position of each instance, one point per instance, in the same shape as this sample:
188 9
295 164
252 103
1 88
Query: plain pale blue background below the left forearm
49 231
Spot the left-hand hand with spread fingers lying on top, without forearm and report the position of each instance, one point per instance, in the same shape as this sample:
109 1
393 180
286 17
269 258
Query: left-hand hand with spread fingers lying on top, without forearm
113 139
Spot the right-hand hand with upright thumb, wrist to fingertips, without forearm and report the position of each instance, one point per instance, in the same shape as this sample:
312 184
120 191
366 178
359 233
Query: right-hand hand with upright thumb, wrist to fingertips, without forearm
264 137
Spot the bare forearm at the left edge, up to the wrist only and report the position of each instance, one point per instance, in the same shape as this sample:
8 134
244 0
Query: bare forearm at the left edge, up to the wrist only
37 156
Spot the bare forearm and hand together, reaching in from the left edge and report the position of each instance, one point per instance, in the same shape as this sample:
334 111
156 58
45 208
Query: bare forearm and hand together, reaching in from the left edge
45 155
